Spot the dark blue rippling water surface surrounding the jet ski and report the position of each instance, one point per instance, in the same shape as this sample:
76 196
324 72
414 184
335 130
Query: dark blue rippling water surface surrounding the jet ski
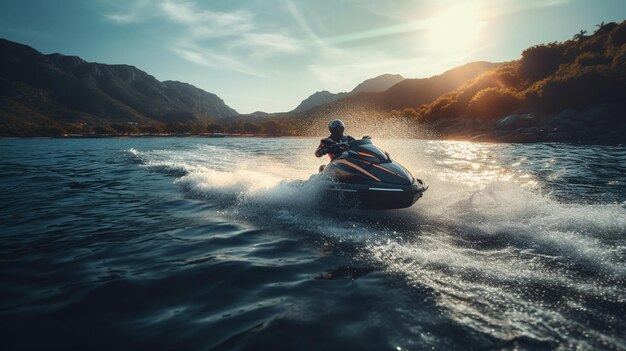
221 244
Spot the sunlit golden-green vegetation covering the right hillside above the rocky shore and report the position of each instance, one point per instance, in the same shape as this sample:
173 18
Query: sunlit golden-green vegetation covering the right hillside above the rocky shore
580 73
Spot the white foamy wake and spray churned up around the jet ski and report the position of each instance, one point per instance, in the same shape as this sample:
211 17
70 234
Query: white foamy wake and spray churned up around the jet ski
499 255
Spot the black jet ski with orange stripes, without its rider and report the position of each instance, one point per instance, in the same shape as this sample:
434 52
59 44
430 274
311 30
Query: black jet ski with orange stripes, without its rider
365 176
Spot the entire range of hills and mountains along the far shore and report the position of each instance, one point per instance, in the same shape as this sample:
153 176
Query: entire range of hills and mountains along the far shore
571 91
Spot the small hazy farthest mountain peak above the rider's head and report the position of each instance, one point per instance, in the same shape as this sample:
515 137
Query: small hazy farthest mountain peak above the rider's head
372 85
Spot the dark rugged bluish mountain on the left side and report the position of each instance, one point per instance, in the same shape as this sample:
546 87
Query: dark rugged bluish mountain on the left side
38 88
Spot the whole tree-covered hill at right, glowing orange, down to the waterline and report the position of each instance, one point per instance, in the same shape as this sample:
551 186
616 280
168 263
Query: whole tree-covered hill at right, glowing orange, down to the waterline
573 91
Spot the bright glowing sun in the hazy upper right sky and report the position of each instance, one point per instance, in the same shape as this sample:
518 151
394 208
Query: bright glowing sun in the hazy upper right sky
455 29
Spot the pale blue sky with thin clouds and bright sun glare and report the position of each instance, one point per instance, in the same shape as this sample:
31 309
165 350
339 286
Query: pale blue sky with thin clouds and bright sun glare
269 55
